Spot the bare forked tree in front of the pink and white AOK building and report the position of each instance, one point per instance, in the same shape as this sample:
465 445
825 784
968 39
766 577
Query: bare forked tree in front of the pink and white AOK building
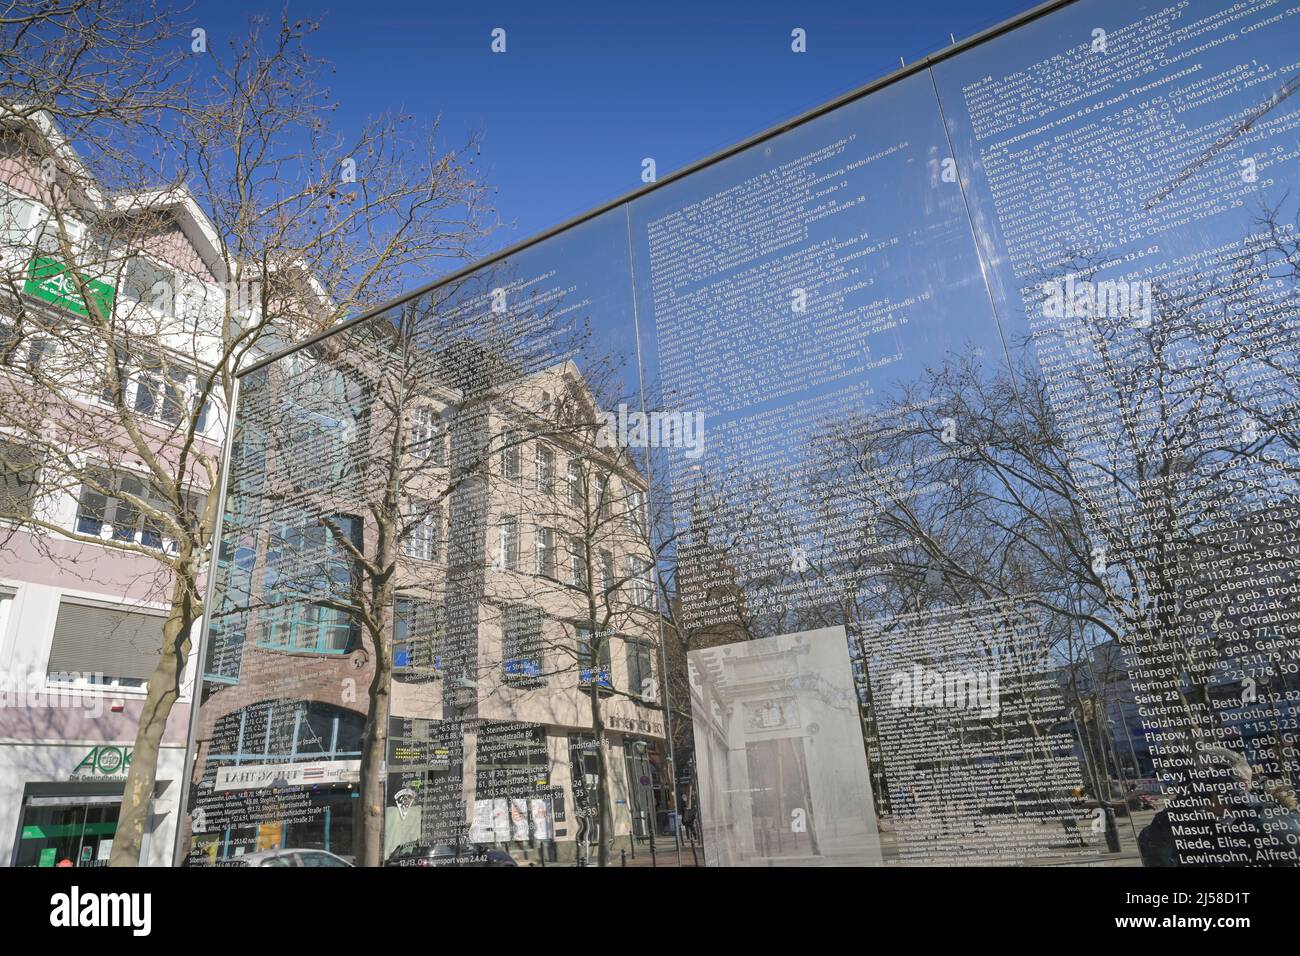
272 226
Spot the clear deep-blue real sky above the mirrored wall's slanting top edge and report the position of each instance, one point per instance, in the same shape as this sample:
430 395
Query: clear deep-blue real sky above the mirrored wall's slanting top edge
586 90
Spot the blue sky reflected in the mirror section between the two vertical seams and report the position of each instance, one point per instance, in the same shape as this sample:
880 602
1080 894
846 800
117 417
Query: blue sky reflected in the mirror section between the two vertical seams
892 284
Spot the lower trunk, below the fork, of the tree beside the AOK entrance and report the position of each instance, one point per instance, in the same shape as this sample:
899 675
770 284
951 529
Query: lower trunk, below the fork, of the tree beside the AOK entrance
162 694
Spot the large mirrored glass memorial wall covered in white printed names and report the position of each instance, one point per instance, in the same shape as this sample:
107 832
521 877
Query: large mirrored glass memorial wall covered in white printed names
915 486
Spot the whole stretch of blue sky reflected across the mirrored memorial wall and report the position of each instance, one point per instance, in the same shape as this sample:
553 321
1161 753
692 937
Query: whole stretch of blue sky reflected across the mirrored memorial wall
860 214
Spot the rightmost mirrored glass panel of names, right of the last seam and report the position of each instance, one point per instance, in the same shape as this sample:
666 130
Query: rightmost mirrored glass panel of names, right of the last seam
1132 171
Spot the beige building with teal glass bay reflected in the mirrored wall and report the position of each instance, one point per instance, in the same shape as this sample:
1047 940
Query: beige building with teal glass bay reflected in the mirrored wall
522 586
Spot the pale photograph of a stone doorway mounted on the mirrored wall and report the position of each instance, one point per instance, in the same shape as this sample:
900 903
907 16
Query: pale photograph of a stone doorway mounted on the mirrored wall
779 754
